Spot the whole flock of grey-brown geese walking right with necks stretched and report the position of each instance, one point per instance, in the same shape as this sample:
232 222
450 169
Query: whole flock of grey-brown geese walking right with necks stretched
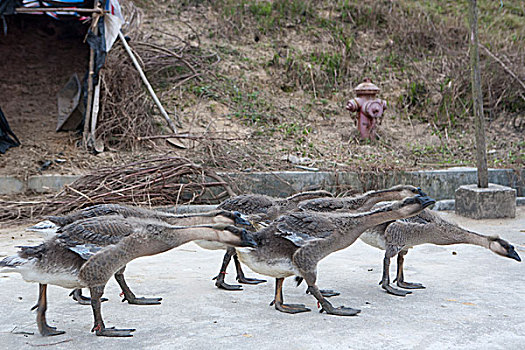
277 238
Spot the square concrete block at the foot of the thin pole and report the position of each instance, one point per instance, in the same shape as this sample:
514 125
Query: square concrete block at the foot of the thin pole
493 202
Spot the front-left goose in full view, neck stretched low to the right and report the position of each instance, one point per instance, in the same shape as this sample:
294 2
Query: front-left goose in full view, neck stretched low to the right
62 261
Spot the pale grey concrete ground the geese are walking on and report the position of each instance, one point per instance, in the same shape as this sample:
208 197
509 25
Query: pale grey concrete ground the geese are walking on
474 300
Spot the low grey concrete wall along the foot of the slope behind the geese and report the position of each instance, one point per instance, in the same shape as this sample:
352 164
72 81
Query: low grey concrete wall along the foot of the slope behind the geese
440 184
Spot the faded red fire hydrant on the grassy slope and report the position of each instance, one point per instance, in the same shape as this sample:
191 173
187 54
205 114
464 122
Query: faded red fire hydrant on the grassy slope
369 109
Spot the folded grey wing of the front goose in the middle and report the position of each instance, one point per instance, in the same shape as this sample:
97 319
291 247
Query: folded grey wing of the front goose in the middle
303 228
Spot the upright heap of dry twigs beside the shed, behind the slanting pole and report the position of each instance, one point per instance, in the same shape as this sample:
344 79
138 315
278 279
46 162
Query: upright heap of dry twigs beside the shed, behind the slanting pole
127 110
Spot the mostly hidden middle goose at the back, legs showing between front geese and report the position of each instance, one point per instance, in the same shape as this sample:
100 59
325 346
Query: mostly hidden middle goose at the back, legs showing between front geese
260 208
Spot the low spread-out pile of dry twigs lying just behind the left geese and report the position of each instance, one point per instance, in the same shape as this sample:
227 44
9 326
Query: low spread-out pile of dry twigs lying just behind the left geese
153 182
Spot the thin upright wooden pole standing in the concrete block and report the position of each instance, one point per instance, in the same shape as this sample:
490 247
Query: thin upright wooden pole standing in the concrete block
477 99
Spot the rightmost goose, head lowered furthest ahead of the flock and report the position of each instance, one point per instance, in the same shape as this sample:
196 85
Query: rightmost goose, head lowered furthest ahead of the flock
427 227
